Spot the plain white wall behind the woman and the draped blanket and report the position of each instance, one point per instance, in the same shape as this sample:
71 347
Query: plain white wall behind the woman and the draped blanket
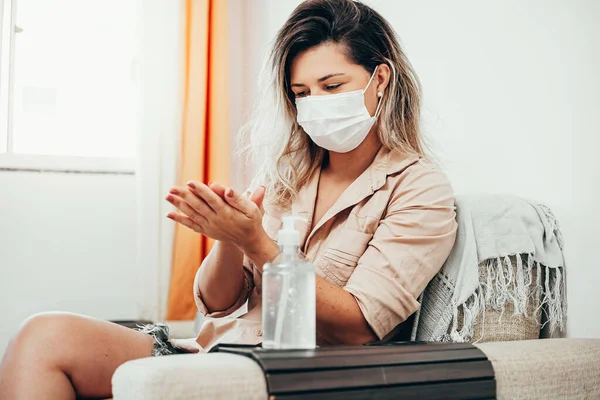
512 92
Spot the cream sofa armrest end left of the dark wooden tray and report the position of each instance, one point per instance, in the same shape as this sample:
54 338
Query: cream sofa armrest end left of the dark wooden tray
190 376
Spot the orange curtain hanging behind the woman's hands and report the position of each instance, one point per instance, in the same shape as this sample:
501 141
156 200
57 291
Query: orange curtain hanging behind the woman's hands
205 136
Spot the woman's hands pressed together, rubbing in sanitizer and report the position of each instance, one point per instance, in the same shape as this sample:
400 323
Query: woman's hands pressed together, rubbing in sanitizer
234 218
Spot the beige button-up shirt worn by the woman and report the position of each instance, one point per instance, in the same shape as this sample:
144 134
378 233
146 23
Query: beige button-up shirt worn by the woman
383 240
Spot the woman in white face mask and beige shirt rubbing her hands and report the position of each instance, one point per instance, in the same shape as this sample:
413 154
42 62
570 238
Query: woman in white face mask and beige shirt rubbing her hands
336 140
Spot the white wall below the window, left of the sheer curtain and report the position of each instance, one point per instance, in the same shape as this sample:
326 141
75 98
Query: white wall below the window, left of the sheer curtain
67 242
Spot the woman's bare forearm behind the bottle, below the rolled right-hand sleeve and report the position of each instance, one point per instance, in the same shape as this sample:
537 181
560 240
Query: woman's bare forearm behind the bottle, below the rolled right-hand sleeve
339 318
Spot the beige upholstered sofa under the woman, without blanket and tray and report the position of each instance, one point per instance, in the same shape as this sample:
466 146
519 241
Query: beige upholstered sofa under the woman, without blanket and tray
525 366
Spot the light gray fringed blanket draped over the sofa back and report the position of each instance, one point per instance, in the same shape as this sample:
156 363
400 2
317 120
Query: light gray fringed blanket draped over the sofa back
490 229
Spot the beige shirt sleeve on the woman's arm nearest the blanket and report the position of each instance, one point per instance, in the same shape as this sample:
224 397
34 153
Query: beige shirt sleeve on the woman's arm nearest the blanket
409 247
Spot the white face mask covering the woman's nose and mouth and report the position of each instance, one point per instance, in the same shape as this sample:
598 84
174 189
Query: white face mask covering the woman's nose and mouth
337 122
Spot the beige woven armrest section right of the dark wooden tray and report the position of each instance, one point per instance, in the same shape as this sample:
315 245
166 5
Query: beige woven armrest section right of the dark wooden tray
546 368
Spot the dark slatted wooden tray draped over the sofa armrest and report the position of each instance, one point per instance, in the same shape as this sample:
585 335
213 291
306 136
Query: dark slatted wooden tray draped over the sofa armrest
386 370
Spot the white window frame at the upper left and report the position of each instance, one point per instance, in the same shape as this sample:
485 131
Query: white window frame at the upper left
11 161
